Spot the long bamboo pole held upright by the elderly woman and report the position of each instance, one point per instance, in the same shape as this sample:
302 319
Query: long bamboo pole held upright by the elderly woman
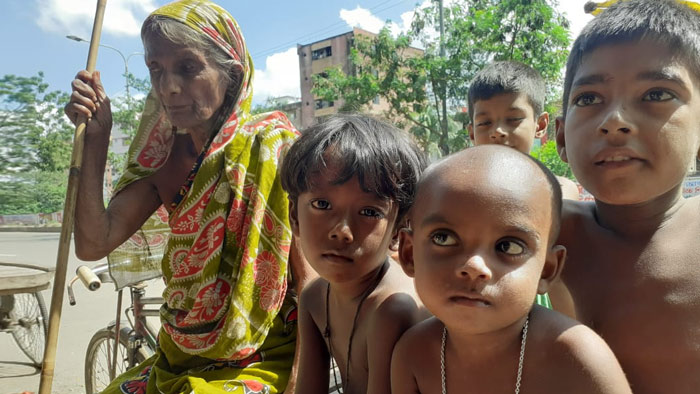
49 363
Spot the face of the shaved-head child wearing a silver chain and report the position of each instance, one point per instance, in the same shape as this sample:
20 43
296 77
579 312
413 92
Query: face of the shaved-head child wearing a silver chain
478 246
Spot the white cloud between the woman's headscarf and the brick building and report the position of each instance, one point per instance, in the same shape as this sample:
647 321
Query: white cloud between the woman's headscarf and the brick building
279 77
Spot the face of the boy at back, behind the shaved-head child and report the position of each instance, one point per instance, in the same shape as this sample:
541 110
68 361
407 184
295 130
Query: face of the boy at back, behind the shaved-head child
507 119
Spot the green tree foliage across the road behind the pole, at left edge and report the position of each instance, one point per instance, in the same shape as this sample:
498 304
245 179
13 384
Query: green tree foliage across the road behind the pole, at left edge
38 141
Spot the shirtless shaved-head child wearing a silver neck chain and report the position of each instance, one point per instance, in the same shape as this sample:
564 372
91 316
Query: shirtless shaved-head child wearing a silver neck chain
480 283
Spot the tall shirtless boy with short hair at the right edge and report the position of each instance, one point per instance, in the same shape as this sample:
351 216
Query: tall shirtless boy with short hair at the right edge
630 130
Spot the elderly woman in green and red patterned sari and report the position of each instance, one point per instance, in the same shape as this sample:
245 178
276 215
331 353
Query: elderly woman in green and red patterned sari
228 322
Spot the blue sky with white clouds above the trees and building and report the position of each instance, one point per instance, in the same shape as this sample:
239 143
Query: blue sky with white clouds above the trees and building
34 35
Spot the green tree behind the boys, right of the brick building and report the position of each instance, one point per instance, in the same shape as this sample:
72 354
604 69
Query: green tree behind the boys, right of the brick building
476 32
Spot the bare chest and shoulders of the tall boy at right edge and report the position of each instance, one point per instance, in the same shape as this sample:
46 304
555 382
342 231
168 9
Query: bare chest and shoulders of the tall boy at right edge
644 300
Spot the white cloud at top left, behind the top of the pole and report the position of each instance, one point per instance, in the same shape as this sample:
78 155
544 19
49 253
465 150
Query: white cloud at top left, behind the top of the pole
122 17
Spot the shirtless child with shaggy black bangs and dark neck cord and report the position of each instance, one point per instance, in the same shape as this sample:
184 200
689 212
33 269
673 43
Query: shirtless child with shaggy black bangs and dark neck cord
351 180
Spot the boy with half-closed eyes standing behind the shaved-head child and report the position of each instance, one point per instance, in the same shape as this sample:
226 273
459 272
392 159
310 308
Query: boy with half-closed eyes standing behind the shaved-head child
506 107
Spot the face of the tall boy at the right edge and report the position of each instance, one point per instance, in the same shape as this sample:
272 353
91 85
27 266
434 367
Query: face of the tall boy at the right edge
632 126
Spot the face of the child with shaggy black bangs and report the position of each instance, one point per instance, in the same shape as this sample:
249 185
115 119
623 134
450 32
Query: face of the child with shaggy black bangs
344 231
